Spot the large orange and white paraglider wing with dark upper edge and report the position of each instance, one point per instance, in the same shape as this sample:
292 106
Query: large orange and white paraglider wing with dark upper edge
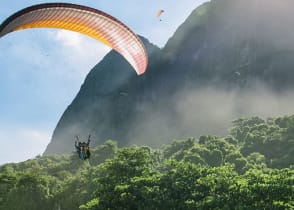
85 20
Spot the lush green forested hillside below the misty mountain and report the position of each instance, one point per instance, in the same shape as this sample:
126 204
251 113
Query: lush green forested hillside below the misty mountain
250 168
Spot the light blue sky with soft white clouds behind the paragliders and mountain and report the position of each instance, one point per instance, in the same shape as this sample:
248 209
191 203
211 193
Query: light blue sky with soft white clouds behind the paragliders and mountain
42 69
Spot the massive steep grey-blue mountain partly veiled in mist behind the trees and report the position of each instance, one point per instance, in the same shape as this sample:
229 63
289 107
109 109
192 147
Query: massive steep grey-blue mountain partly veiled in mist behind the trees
230 58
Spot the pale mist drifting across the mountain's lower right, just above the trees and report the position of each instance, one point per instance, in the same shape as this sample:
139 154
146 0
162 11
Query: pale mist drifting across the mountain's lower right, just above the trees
209 110
